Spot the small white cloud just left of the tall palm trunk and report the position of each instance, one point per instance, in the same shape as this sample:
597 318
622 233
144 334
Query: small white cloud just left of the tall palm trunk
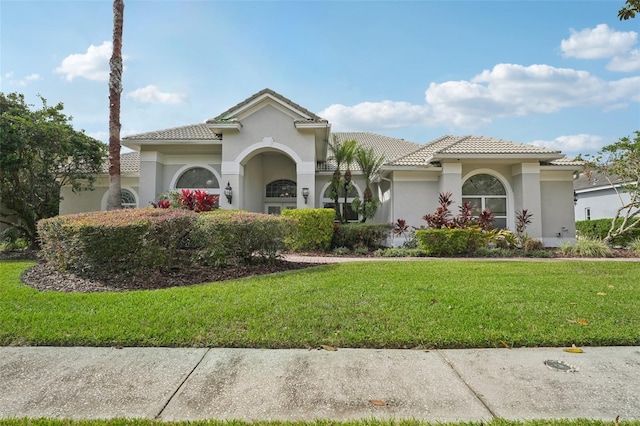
93 65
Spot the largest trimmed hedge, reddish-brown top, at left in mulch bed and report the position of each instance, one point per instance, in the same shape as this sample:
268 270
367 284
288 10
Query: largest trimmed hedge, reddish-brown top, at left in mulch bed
129 241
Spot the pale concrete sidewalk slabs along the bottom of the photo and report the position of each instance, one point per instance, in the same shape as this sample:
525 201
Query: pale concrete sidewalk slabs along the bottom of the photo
256 384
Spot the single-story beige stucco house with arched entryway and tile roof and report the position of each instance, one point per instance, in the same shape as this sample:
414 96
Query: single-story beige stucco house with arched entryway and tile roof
269 150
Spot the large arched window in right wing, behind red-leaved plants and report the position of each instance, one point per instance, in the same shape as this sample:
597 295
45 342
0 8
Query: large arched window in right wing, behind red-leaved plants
484 191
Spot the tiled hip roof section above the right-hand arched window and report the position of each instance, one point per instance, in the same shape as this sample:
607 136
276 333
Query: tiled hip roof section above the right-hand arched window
469 145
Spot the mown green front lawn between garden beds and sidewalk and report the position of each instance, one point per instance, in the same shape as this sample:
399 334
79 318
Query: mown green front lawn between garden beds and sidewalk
384 304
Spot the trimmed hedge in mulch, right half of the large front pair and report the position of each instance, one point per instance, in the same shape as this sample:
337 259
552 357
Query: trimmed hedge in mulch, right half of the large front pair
223 236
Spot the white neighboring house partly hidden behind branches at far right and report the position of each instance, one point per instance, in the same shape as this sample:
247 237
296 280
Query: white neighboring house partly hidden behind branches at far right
598 198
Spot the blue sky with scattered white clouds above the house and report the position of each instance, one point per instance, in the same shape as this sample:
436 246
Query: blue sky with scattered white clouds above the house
565 75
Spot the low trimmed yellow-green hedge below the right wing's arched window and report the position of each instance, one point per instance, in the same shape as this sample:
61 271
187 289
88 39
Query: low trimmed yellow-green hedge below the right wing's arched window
449 242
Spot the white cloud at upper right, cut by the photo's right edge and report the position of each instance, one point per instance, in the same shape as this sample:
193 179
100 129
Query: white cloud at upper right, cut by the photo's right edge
604 42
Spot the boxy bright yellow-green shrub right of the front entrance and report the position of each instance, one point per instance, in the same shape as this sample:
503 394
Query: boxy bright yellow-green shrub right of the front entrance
314 230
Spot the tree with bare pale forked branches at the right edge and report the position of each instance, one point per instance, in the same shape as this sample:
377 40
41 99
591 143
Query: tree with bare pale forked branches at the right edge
621 161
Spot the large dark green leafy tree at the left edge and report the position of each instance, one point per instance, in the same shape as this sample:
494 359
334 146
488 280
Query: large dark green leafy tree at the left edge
39 153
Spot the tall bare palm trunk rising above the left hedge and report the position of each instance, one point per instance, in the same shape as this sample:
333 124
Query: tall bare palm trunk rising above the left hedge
115 90
